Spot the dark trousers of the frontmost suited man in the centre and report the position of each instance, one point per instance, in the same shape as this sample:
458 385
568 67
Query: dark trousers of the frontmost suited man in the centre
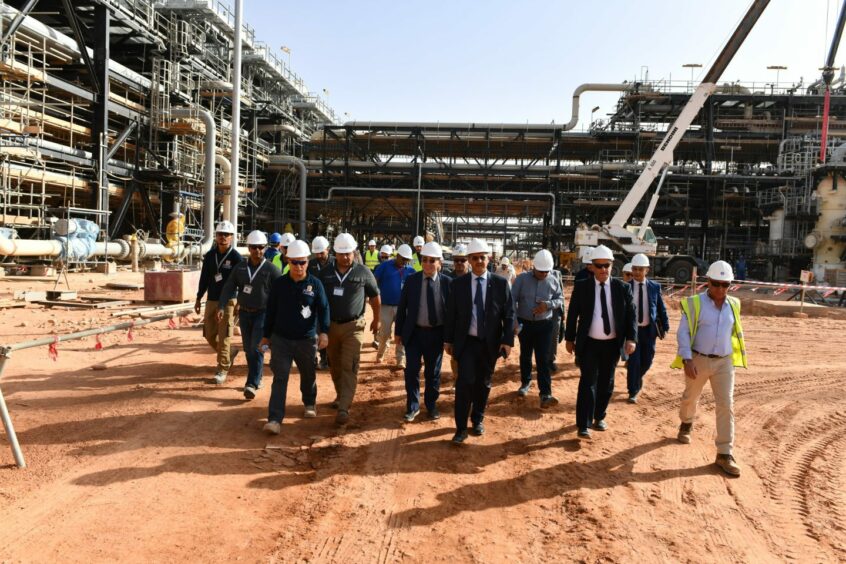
475 370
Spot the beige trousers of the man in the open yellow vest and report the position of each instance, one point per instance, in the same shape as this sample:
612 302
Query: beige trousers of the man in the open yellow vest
720 371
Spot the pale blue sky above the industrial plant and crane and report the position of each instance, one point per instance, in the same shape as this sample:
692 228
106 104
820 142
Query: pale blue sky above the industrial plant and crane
507 61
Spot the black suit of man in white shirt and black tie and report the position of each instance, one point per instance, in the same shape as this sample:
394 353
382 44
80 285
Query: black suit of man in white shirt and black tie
597 359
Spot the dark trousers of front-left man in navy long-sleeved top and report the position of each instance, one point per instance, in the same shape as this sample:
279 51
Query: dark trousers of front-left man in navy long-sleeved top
283 353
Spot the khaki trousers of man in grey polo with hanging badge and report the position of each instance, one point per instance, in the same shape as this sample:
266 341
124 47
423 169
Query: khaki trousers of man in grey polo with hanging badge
345 340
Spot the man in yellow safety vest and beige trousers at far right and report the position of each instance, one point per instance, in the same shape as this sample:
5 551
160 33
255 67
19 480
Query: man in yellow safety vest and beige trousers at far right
711 355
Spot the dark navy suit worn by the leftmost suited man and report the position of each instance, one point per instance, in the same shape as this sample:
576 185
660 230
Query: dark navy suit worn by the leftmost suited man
421 342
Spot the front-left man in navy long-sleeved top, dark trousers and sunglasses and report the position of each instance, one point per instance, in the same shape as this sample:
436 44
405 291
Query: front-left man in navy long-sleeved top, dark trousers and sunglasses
295 328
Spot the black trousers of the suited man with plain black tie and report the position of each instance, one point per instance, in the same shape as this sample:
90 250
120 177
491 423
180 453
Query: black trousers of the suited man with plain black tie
596 363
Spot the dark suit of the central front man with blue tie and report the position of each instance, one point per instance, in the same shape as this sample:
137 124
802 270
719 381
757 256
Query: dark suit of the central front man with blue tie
477 355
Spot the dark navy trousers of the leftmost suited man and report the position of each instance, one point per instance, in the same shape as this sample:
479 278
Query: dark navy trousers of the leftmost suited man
428 345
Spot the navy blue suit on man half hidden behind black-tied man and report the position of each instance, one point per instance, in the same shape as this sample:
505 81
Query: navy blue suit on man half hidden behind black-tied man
655 314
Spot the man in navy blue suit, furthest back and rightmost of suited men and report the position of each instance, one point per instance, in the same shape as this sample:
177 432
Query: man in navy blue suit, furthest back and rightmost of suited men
652 322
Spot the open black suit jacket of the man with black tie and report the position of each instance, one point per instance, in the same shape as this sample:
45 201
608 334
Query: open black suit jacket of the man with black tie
580 312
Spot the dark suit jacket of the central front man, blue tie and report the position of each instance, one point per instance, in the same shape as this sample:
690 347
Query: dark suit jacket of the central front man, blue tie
499 315
